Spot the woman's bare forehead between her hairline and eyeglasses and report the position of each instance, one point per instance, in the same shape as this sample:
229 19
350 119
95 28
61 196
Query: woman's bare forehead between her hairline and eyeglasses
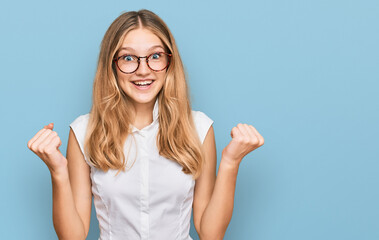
140 40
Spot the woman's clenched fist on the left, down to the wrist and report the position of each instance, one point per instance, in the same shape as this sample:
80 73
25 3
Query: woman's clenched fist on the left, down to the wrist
46 145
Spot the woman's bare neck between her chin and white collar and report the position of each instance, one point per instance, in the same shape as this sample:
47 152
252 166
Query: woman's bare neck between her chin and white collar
143 114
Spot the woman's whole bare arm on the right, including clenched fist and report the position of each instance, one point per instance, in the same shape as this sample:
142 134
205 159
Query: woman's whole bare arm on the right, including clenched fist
214 197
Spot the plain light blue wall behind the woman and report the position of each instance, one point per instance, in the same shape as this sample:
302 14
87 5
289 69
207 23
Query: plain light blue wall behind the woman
304 73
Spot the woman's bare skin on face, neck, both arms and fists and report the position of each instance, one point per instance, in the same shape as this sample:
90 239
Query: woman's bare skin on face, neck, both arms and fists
214 195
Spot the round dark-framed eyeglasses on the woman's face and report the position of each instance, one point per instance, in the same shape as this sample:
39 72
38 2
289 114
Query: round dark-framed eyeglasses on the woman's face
156 62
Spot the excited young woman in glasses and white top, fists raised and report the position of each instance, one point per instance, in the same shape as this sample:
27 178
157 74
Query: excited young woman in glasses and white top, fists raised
141 152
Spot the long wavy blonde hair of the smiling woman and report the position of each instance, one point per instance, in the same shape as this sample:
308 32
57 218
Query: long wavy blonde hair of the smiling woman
112 111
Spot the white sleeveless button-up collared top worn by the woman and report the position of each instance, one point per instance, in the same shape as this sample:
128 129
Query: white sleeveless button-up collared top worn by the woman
153 198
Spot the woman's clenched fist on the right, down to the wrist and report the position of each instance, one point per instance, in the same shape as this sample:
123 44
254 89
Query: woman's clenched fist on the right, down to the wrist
245 138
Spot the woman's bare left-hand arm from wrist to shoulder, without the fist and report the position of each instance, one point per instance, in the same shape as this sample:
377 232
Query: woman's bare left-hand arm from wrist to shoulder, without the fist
72 195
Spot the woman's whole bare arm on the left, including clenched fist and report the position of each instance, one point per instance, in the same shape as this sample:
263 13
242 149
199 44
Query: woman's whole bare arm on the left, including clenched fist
70 181
